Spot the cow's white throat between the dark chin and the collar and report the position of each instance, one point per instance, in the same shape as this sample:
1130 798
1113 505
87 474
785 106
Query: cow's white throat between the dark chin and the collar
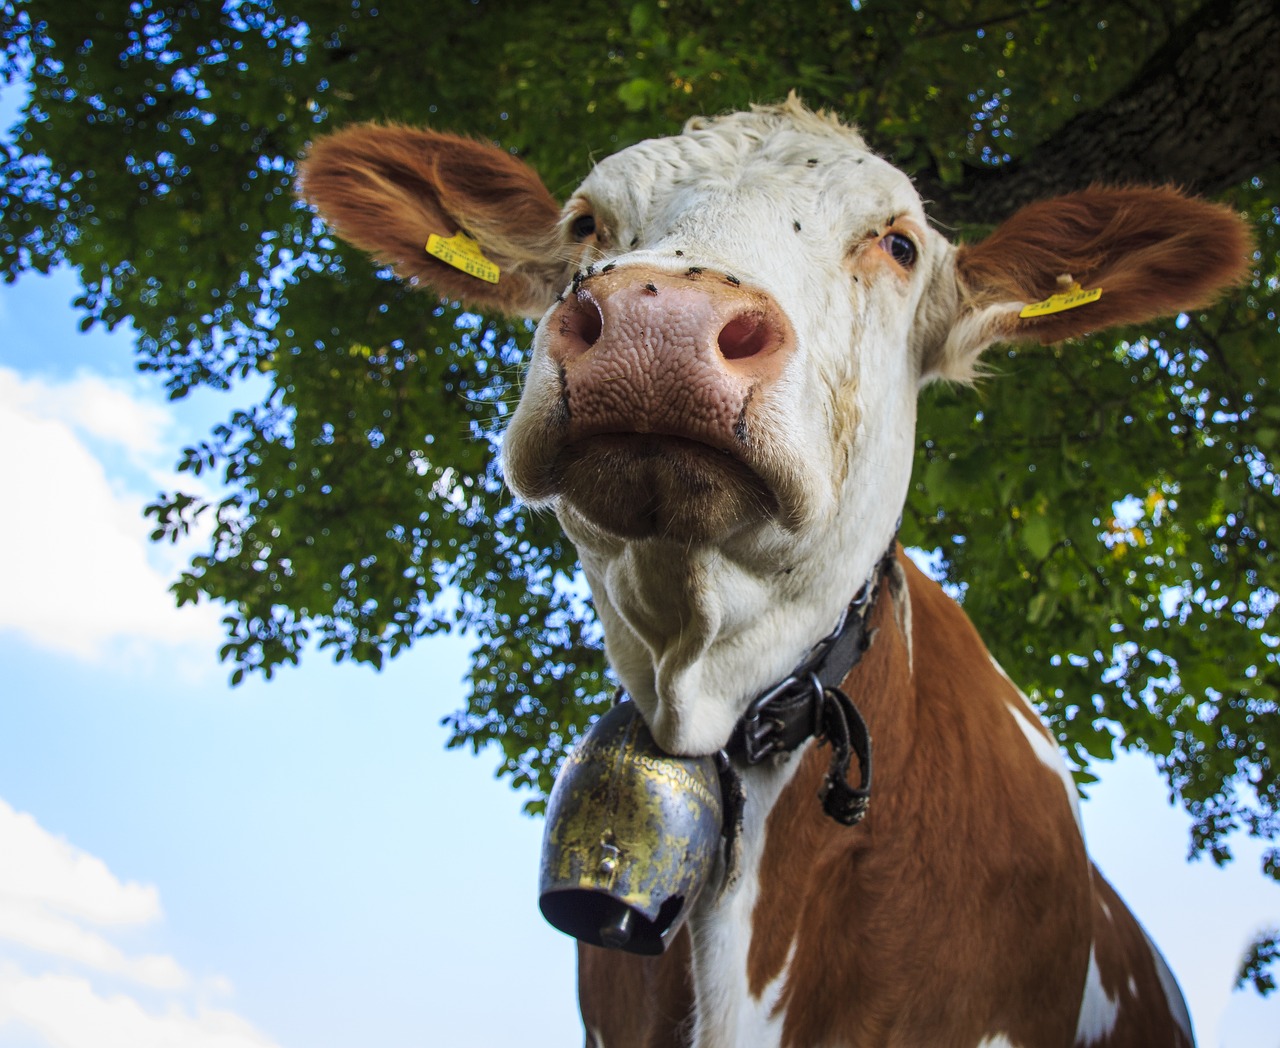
697 631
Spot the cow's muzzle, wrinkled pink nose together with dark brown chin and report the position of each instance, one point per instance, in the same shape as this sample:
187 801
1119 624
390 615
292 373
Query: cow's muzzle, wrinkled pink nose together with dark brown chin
661 378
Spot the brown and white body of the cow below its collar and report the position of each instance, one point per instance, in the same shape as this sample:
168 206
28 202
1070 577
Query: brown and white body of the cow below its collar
970 873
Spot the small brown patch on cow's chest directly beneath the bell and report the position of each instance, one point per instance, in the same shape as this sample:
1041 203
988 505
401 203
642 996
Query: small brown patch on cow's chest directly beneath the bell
637 1003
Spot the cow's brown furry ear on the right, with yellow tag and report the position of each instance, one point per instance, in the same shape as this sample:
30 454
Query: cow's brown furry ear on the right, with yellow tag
1084 263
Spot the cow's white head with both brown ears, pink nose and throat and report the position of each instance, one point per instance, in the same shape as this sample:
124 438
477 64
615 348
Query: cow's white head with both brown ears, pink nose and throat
734 326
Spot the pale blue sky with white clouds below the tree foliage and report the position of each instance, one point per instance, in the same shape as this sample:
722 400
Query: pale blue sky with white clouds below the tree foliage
301 864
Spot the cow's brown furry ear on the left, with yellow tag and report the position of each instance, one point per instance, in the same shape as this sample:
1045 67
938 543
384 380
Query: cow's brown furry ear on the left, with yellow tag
391 190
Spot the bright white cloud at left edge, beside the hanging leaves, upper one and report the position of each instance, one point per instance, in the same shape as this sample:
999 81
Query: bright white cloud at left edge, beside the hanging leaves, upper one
81 575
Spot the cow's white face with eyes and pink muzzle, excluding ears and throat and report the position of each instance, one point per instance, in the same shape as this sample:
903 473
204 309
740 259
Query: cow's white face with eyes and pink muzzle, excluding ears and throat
737 354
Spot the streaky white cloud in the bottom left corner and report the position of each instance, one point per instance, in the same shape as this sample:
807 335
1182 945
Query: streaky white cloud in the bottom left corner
49 891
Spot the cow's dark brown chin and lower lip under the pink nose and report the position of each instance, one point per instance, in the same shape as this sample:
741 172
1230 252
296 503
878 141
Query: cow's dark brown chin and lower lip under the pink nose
659 487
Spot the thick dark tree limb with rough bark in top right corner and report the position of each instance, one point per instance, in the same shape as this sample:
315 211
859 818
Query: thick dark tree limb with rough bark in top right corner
1203 113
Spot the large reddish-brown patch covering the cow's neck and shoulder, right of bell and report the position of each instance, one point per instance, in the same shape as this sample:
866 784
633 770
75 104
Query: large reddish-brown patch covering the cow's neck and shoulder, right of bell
962 903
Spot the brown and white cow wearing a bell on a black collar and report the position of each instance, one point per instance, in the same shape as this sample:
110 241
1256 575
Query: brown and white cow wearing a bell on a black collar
720 408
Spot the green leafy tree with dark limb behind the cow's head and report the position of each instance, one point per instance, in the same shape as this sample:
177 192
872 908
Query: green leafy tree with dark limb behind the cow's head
1104 509
